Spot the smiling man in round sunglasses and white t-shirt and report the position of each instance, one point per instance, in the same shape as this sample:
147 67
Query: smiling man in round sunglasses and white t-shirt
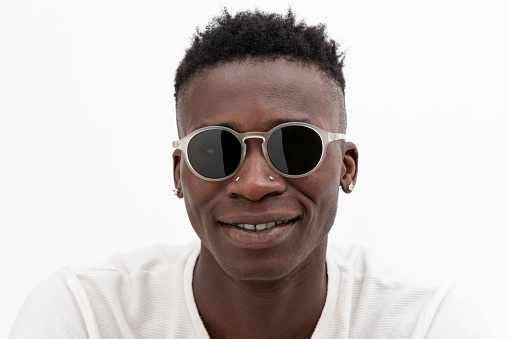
260 163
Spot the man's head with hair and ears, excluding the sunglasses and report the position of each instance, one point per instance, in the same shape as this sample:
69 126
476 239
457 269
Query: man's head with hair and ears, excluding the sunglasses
253 72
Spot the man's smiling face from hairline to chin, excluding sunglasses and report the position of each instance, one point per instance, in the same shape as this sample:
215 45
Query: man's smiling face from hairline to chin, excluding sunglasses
256 96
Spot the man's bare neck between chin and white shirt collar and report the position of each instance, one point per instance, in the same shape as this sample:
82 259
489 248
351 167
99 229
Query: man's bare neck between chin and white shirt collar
289 307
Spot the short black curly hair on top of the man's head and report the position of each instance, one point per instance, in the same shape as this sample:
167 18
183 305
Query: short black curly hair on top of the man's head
260 35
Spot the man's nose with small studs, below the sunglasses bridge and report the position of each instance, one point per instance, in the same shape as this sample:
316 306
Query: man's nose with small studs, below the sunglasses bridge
256 179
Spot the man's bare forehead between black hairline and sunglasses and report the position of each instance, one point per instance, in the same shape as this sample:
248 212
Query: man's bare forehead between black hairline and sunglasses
256 95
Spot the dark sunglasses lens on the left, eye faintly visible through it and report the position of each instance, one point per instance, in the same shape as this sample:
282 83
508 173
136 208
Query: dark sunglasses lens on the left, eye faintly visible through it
214 154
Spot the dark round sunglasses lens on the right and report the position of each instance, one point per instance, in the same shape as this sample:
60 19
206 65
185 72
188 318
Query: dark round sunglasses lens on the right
295 150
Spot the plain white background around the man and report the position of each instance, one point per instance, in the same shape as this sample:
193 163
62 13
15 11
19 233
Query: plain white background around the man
87 117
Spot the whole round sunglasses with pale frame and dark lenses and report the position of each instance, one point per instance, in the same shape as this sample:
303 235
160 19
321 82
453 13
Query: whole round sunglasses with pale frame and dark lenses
292 149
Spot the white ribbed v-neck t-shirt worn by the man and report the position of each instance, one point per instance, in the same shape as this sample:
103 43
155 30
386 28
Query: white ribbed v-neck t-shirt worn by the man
148 294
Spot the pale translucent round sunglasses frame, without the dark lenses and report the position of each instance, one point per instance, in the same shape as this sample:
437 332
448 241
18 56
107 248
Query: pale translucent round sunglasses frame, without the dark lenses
325 136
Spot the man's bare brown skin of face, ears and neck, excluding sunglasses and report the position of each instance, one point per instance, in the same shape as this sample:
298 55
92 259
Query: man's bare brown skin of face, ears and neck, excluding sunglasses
264 284
